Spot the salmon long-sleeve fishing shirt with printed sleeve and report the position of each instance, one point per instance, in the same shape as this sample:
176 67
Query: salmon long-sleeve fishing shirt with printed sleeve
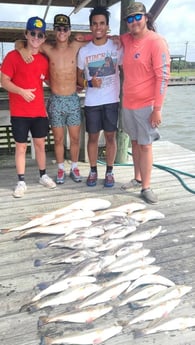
146 65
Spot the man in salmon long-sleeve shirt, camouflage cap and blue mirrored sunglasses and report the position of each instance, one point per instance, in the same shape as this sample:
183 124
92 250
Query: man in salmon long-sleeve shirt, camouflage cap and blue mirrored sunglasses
146 66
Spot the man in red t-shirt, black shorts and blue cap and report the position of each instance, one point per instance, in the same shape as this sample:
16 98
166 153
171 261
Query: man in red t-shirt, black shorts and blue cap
24 84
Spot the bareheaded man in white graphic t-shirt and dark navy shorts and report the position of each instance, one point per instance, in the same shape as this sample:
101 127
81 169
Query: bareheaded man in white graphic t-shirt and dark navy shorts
98 72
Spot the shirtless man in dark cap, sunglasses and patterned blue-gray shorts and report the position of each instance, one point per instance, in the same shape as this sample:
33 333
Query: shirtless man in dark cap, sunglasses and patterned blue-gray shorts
64 103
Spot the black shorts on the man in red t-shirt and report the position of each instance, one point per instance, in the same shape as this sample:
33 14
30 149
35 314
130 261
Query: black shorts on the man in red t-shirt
21 126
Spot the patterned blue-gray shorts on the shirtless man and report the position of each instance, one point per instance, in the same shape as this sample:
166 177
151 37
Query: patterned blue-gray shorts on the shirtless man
64 110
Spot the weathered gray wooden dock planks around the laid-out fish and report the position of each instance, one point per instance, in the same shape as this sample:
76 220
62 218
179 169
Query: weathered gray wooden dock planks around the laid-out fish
173 248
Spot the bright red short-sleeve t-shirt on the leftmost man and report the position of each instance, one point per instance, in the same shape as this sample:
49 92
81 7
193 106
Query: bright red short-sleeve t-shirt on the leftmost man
27 76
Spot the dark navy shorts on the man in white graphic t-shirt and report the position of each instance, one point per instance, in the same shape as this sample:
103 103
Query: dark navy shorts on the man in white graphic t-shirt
102 117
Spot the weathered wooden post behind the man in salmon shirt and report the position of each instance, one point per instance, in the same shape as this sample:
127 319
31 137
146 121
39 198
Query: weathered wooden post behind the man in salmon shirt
122 137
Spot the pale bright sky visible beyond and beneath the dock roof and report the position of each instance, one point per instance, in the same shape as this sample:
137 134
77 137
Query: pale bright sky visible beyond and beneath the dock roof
175 23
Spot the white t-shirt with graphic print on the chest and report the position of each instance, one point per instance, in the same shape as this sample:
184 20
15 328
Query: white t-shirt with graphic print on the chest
102 62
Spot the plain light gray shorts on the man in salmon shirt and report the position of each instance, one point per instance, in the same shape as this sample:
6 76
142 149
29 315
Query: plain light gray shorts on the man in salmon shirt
136 124
